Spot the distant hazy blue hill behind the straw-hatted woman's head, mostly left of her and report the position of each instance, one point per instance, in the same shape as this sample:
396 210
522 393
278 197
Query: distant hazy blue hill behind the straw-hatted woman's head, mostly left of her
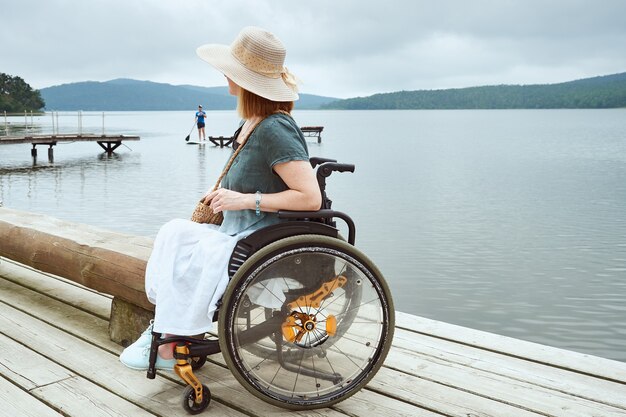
129 95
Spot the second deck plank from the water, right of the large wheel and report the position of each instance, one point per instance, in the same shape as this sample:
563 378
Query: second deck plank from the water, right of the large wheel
558 379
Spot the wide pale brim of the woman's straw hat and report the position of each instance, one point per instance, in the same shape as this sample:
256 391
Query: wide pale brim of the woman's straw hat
220 57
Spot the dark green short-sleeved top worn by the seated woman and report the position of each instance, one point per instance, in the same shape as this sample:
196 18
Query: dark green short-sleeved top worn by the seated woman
275 140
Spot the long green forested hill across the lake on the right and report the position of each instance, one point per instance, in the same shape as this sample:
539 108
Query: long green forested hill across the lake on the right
599 92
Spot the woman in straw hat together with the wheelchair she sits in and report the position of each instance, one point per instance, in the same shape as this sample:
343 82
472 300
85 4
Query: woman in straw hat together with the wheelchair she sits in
305 319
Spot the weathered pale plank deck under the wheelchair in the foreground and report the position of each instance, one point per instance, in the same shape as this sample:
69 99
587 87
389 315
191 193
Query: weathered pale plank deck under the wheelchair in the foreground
56 359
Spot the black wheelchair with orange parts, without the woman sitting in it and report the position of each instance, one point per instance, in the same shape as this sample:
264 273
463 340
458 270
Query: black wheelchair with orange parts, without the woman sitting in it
306 319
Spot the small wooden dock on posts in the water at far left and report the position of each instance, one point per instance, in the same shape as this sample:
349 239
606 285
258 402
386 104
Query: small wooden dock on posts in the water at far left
109 143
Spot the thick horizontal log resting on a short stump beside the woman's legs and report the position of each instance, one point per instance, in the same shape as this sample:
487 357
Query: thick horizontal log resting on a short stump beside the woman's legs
105 261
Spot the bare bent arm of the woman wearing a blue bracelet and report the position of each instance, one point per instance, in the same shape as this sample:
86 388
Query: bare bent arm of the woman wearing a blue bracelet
303 192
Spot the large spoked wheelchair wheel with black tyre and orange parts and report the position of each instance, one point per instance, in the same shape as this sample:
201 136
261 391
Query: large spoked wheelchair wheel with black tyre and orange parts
306 322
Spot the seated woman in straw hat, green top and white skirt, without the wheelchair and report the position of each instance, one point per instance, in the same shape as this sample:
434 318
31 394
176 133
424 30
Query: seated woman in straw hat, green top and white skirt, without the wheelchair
186 274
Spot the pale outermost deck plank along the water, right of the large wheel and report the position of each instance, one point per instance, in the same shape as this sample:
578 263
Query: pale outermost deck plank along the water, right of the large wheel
574 361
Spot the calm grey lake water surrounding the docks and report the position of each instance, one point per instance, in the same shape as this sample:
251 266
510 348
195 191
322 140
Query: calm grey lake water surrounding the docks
510 221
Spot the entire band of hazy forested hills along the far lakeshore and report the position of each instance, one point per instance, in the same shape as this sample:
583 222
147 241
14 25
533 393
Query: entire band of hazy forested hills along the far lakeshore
123 94
